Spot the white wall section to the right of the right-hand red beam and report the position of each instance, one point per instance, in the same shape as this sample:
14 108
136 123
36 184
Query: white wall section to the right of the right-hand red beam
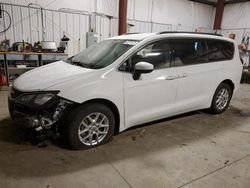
236 20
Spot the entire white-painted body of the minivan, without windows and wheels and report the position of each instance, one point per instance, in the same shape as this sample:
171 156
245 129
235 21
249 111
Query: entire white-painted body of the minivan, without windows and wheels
138 101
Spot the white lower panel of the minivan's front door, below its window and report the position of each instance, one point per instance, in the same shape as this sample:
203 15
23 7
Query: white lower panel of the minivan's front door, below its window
150 98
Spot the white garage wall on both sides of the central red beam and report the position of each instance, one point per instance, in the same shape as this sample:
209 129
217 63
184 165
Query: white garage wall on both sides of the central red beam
72 18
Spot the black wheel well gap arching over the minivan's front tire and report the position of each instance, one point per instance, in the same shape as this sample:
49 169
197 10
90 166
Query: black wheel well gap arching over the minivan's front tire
112 106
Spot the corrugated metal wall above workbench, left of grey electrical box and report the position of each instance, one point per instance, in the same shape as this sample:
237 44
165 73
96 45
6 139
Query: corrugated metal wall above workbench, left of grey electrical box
27 25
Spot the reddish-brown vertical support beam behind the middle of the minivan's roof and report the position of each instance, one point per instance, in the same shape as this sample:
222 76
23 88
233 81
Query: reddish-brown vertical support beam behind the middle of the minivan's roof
122 16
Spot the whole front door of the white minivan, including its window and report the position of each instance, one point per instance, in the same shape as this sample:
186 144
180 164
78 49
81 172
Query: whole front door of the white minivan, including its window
153 95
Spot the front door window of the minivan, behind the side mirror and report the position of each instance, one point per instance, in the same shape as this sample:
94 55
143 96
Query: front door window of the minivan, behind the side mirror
158 54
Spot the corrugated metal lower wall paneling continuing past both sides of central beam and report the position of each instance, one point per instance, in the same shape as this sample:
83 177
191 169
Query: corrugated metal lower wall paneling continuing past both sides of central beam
27 25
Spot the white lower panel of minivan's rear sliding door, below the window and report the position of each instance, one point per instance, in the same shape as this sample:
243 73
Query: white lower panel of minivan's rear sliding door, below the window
196 84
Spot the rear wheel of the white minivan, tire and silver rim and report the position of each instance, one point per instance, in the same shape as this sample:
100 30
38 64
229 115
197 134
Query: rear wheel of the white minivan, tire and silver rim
217 108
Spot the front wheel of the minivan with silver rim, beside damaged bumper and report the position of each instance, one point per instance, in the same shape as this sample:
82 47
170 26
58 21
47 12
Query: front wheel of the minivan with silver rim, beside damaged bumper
83 126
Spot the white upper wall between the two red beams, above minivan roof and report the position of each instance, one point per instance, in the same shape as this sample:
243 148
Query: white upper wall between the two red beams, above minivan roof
179 14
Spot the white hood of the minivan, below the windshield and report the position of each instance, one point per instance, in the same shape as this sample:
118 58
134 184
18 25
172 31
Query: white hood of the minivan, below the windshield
49 75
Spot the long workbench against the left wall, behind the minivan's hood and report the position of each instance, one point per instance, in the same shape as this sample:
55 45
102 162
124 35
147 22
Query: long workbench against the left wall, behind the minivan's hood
36 59
